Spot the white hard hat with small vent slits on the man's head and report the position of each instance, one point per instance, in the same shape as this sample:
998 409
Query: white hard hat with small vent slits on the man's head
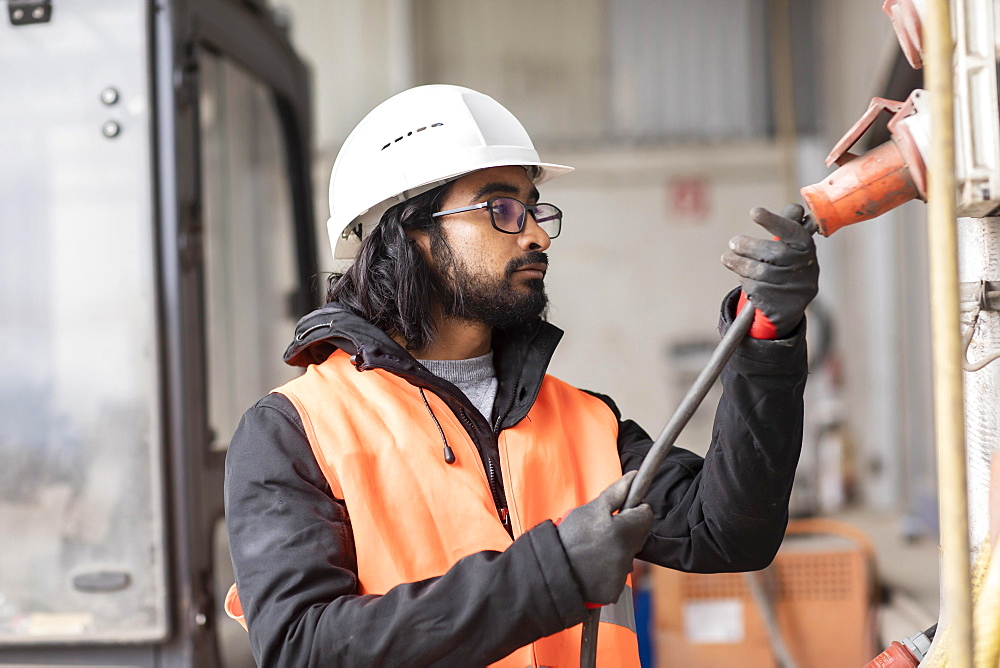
413 142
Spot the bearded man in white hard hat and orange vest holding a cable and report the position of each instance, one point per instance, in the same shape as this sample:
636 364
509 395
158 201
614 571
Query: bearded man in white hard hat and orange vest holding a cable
399 503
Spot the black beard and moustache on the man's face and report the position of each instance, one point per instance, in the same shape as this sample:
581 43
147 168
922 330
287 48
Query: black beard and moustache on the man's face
495 301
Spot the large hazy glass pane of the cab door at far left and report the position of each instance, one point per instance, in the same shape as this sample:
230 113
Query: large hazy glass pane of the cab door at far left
80 500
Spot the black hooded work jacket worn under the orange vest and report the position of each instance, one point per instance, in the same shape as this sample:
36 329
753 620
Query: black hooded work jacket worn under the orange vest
293 548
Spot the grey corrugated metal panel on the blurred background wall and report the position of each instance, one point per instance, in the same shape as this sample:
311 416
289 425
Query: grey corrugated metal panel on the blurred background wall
682 69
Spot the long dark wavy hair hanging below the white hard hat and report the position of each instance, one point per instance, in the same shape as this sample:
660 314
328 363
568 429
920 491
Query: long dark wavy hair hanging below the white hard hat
390 284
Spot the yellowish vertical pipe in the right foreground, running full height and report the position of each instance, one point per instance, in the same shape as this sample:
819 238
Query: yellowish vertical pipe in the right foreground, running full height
949 412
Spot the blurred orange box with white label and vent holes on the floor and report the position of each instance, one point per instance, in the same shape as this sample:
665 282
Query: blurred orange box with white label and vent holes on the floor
822 588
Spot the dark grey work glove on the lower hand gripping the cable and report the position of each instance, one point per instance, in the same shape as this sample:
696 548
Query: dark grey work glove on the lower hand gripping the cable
600 545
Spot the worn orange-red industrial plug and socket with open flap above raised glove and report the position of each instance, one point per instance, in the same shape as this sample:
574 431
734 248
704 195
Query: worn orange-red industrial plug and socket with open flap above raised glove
882 179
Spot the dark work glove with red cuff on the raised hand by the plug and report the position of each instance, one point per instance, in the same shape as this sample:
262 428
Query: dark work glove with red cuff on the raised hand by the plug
779 276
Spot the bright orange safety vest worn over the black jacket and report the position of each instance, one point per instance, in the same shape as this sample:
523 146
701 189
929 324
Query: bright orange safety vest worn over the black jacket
383 456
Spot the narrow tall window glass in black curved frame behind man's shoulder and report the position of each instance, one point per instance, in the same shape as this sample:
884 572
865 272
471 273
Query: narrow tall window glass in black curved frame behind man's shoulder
249 238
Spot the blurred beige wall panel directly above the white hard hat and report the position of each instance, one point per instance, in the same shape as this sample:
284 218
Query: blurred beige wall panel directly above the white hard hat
542 60
